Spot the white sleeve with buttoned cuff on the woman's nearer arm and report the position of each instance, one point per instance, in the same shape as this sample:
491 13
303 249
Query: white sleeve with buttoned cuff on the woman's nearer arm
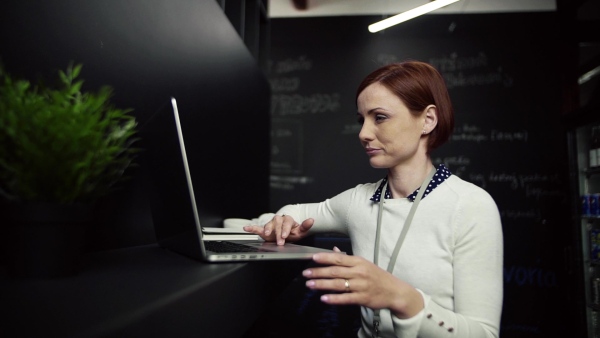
478 279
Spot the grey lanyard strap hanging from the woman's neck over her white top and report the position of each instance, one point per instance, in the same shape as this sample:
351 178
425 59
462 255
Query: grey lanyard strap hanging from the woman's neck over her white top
394 256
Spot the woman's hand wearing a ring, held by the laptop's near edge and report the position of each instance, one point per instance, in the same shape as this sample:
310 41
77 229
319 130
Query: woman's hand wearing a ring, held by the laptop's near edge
358 281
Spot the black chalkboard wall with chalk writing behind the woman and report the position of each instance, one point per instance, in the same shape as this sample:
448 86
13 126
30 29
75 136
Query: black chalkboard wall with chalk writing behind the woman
501 70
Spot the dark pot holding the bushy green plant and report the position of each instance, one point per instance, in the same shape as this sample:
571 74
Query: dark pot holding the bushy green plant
45 240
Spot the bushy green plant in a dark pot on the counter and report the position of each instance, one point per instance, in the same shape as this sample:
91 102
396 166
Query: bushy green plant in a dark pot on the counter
61 149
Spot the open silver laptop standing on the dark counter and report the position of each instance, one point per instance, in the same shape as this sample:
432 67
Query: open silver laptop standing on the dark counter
176 216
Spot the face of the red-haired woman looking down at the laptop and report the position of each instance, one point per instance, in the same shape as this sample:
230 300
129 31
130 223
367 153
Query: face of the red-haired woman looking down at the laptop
390 134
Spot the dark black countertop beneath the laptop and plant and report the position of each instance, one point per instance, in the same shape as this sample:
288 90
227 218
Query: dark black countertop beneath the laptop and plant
144 291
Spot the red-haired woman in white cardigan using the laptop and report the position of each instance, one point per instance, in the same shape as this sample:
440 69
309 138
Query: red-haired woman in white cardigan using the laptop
442 276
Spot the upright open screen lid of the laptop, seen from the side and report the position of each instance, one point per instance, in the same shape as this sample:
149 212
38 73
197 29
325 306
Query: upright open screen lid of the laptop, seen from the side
169 188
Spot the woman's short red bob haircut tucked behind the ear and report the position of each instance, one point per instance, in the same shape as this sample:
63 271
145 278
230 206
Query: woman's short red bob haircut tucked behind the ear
417 84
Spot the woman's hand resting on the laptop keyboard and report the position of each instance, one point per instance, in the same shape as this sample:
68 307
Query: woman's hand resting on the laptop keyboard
281 228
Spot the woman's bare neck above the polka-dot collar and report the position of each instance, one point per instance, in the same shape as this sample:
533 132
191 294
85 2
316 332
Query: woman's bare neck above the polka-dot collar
404 180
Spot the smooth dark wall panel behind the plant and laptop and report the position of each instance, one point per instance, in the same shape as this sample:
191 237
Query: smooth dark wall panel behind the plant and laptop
148 51
